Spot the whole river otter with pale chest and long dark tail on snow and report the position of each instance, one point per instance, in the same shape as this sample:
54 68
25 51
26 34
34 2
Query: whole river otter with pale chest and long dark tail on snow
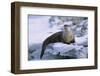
66 36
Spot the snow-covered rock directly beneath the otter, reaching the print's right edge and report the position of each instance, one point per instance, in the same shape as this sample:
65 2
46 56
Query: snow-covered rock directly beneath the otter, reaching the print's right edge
76 50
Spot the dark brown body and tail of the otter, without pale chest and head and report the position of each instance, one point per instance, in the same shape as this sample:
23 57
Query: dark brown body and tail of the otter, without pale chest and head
56 37
